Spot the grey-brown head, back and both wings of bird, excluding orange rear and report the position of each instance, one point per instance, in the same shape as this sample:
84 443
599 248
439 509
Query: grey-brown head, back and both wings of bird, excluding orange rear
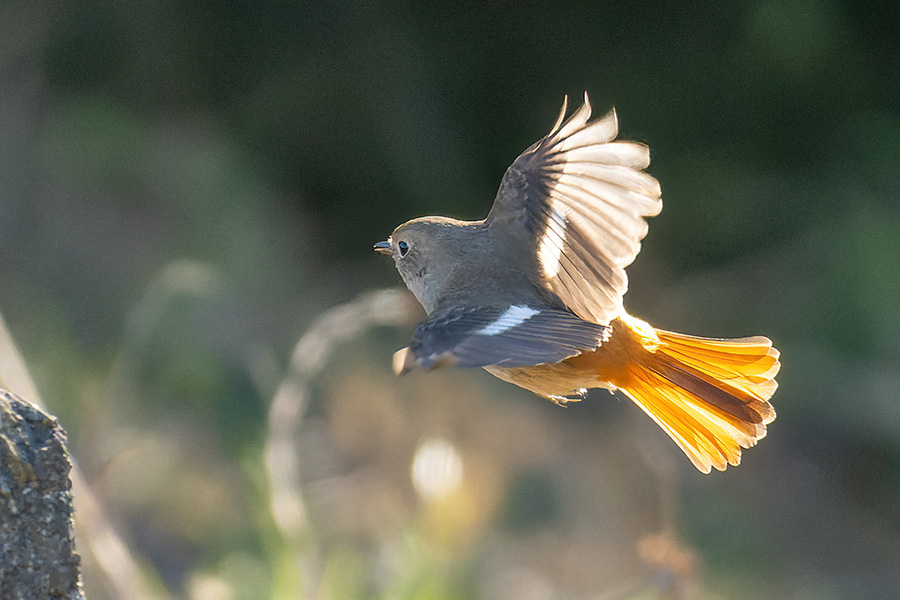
567 220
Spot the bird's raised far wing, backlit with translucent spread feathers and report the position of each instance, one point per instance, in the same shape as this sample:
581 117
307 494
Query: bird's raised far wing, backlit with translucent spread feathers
578 199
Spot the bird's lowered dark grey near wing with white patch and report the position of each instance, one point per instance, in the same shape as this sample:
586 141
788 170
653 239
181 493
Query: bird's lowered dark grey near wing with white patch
511 336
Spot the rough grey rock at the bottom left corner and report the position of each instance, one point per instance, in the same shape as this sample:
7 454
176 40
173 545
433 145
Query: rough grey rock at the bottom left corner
37 545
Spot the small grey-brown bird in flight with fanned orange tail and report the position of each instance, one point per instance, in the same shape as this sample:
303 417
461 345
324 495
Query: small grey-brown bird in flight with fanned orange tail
534 293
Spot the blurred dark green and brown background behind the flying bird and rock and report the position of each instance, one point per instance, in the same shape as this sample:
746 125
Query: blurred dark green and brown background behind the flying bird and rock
186 188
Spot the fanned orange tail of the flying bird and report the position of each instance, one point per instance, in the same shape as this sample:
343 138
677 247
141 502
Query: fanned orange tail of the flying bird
710 395
